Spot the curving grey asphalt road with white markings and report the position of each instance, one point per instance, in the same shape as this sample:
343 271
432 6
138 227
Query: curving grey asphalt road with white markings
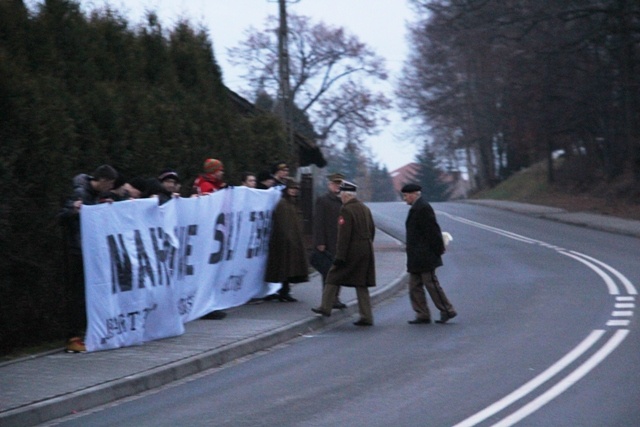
546 336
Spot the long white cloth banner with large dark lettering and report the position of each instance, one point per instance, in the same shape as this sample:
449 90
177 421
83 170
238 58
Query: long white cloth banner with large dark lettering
150 268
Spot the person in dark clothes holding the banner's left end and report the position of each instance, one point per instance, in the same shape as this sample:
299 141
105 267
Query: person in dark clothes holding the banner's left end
87 190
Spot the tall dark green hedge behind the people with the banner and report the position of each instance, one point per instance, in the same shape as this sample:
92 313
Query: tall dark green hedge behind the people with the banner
77 91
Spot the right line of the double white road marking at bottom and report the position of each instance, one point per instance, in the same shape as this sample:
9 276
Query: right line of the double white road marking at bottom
563 385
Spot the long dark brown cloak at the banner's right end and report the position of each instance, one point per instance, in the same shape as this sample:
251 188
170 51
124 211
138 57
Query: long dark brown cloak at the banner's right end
287 259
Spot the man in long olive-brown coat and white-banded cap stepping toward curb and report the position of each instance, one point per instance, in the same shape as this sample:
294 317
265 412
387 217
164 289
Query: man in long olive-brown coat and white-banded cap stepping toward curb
354 264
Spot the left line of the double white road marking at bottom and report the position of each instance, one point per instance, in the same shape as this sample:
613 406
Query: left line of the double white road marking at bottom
534 383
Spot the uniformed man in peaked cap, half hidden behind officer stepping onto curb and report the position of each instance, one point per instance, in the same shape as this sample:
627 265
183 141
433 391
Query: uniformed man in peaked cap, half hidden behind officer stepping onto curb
325 230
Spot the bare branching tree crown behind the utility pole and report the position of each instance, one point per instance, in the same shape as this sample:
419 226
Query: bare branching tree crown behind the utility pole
330 73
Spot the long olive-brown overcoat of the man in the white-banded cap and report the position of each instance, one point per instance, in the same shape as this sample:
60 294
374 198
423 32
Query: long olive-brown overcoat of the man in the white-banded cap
356 231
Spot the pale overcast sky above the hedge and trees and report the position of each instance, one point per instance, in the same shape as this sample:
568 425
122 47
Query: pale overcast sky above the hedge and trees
381 24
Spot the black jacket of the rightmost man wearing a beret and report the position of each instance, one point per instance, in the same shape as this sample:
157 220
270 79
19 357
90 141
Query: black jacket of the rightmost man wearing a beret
424 238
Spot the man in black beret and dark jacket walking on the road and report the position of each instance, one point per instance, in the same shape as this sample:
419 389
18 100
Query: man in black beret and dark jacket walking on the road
424 254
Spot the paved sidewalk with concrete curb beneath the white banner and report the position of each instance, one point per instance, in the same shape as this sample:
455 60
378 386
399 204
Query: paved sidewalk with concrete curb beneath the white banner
55 384
